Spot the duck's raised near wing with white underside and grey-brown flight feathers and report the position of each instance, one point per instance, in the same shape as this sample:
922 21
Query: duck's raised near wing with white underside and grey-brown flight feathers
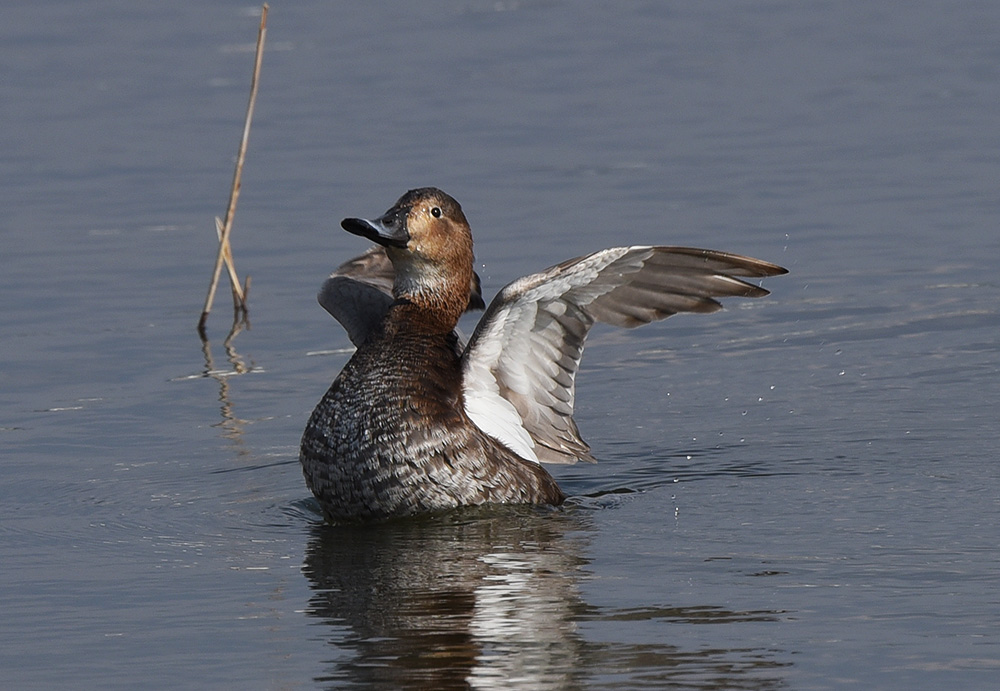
520 365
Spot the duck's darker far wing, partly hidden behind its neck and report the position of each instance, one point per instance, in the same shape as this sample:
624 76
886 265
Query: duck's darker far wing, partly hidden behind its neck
359 292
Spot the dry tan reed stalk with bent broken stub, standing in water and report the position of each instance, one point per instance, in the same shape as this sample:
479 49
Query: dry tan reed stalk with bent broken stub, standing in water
224 228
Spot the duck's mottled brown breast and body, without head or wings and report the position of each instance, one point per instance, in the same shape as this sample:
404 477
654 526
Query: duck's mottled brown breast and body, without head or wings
391 436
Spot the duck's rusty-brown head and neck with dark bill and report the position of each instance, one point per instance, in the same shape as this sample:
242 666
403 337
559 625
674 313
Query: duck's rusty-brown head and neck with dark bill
429 242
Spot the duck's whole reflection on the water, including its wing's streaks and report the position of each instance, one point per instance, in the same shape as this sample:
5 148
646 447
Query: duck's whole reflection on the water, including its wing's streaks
489 599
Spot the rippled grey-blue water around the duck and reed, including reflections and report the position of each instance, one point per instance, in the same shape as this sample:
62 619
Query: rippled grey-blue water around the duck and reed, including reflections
799 492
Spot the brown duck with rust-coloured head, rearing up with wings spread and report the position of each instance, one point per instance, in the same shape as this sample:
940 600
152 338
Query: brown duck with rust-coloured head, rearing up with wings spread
421 420
